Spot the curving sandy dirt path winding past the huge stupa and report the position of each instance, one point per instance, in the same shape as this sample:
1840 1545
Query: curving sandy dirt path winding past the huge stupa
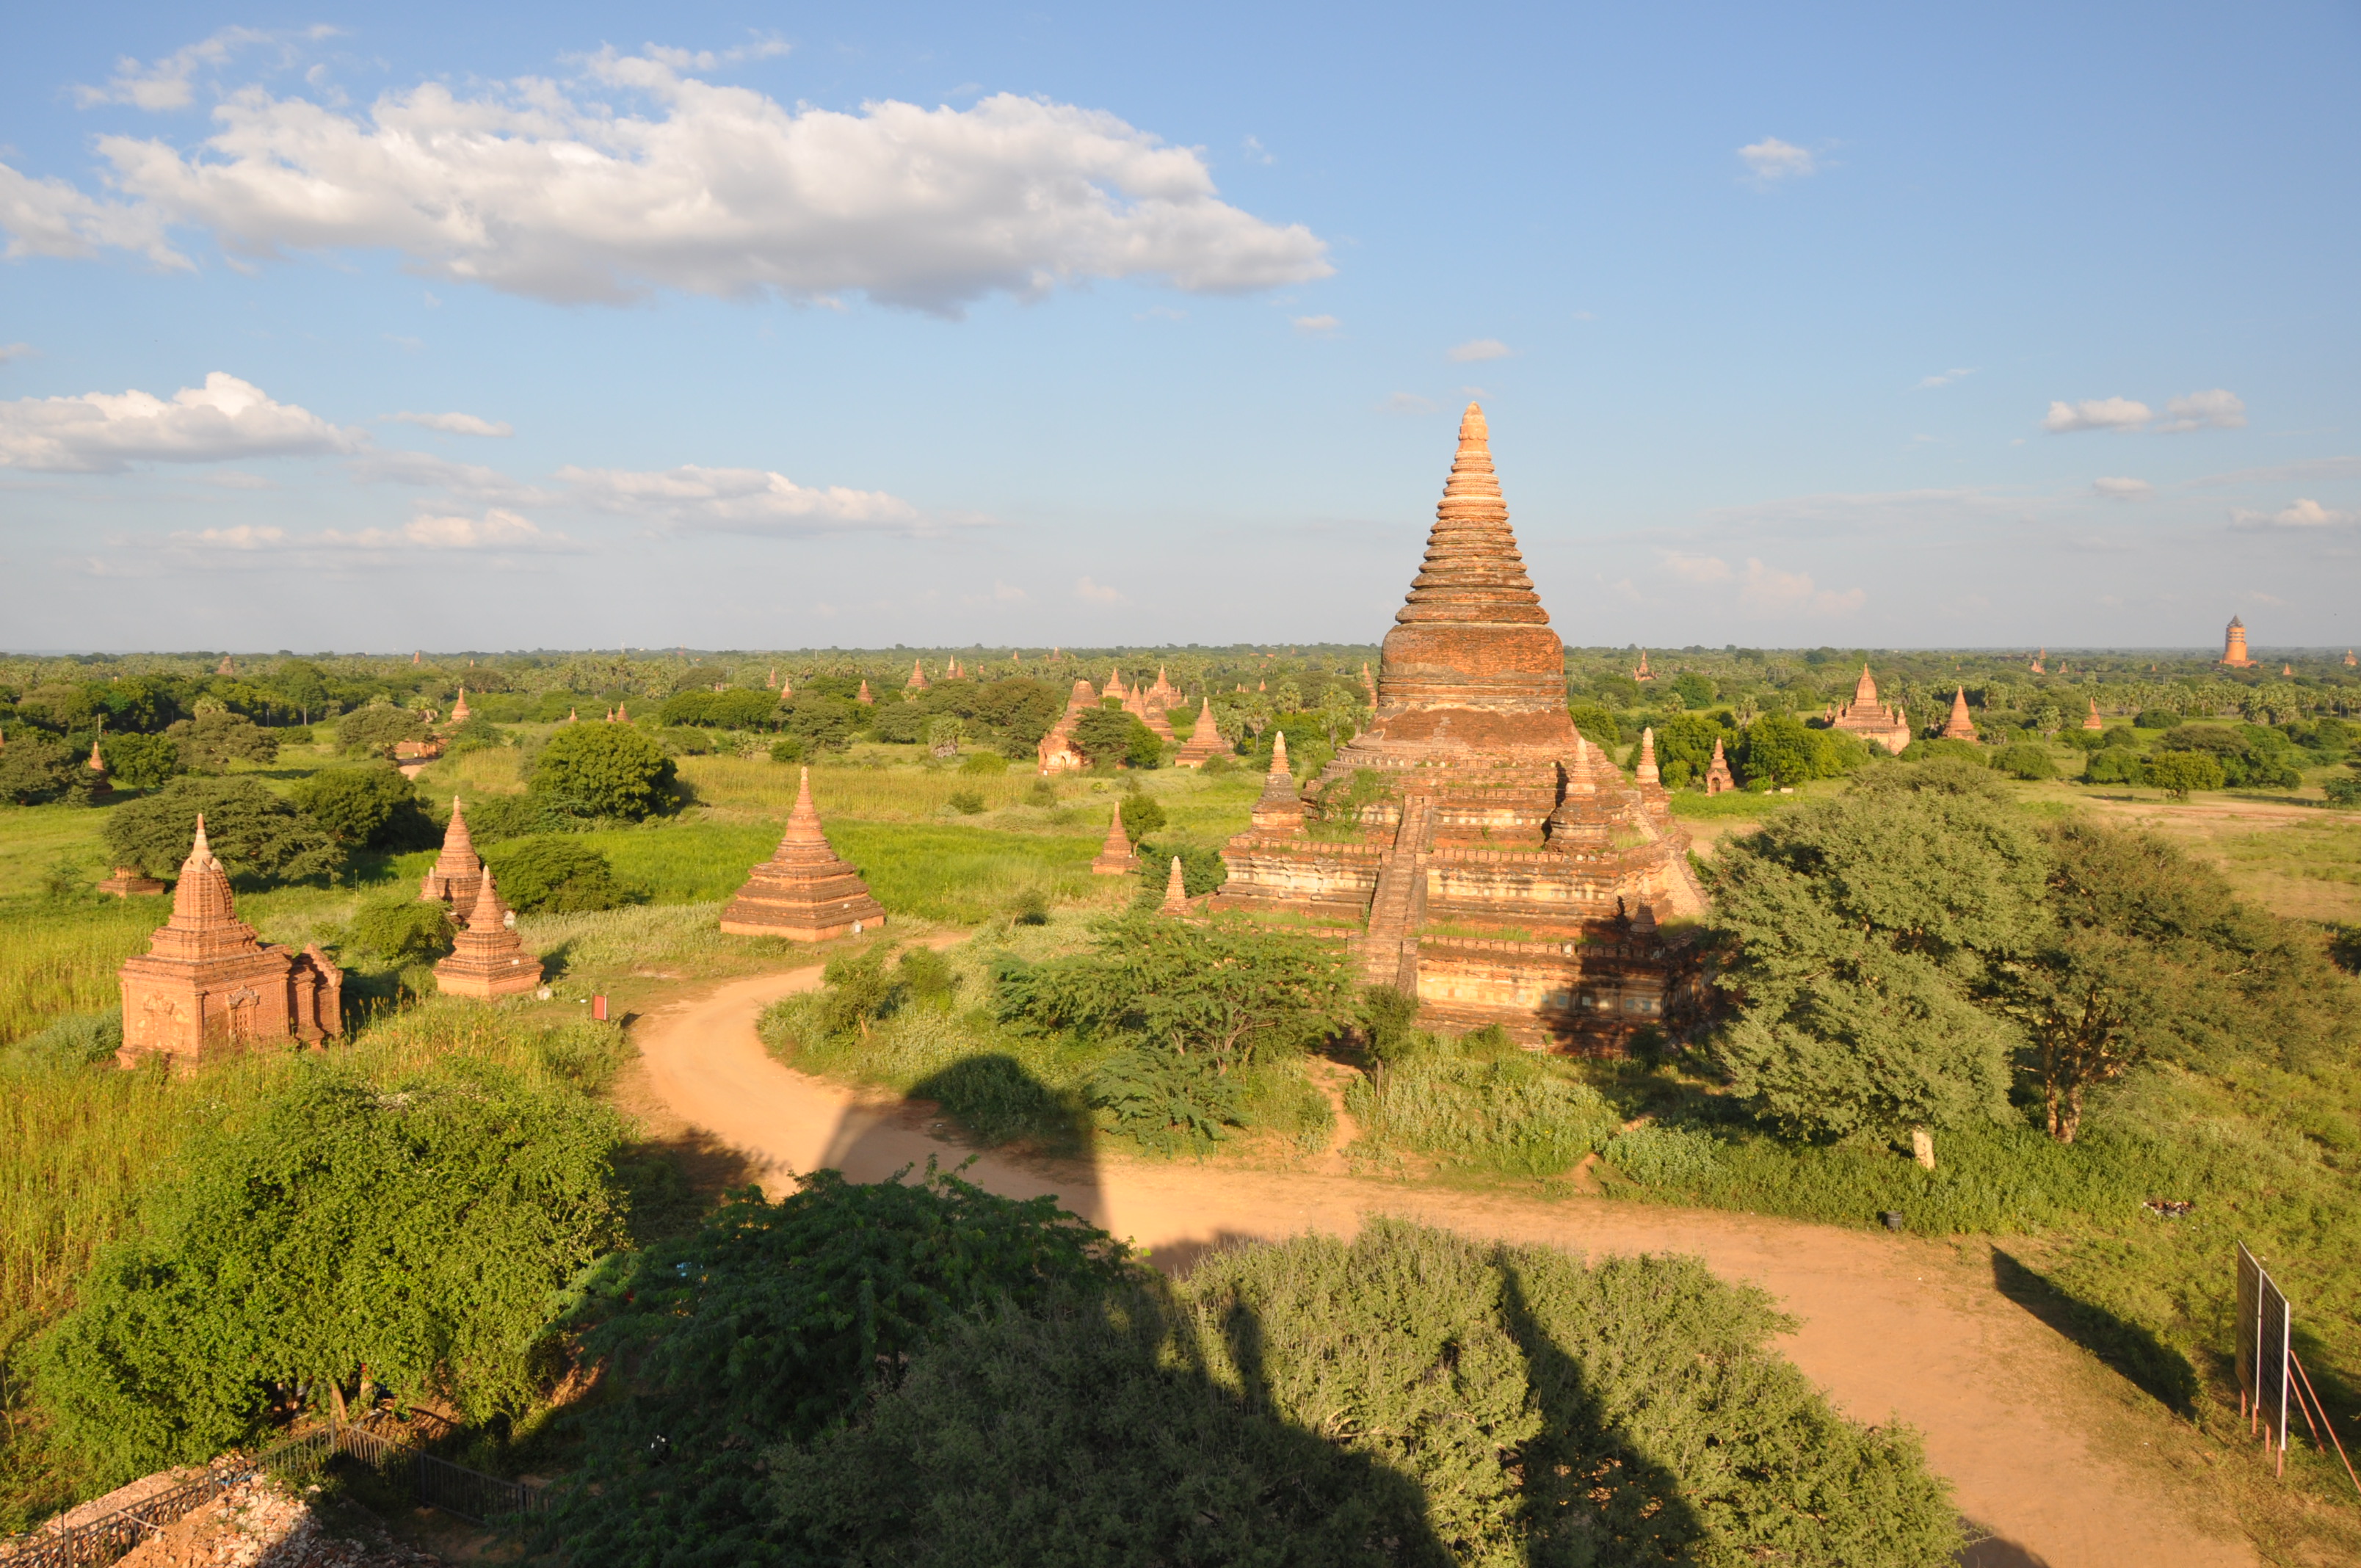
1888 1324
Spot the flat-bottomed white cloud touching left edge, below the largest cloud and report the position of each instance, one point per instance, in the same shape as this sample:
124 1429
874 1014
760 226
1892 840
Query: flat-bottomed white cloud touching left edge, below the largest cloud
112 431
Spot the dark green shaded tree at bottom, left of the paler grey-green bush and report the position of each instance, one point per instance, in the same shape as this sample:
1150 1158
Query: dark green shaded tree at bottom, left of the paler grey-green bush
780 1321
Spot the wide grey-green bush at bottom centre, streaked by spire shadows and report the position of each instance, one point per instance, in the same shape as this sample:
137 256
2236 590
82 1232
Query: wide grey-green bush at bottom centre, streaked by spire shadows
1406 1399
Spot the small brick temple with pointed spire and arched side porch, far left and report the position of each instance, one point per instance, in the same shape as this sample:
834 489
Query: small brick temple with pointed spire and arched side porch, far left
211 986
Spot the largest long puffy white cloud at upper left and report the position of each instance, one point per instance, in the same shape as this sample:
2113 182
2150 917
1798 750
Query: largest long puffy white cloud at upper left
539 190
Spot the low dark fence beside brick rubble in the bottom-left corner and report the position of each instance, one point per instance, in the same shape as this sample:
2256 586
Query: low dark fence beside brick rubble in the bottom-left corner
454 1489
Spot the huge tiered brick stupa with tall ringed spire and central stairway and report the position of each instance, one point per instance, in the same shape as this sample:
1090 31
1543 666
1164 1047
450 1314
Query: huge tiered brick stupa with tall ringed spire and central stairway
1470 842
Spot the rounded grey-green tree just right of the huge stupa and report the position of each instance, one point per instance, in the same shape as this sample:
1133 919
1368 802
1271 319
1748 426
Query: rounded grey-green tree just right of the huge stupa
1859 934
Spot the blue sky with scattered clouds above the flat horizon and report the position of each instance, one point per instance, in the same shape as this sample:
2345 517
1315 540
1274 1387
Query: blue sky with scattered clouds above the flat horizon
776 327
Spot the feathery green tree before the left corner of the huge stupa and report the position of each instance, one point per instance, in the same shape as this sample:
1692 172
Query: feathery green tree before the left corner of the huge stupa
1227 988
